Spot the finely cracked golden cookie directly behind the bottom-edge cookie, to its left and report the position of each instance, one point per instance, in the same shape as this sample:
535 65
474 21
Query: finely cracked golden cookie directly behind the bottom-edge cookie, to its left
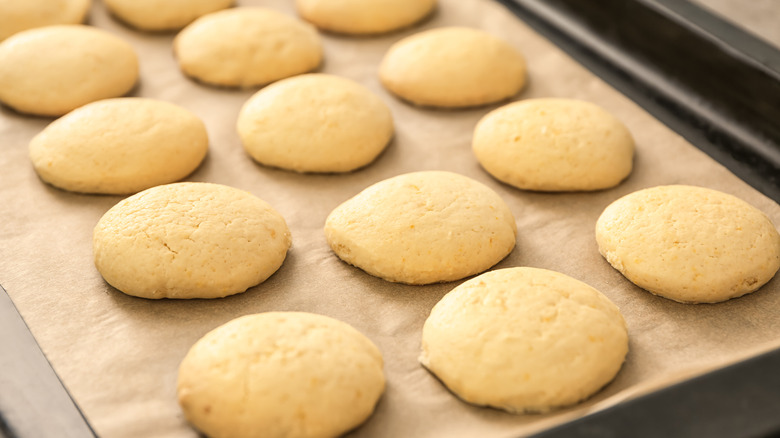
189 240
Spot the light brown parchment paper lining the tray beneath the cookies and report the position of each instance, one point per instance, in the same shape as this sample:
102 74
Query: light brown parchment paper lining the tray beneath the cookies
118 355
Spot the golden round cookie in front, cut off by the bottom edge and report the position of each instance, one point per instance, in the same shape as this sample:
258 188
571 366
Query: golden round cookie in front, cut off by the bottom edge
280 374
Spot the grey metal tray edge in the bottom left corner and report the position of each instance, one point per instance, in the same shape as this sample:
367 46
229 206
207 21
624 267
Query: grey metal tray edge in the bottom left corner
33 401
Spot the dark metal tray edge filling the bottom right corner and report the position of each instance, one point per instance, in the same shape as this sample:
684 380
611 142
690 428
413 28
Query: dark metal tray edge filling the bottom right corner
742 400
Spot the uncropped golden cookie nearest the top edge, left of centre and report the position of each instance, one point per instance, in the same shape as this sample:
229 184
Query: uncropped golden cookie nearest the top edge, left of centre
246 47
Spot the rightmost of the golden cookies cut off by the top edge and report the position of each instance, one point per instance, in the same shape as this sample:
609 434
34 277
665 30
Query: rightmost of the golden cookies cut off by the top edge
364 17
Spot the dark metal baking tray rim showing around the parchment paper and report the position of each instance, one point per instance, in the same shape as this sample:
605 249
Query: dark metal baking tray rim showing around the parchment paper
710 81
